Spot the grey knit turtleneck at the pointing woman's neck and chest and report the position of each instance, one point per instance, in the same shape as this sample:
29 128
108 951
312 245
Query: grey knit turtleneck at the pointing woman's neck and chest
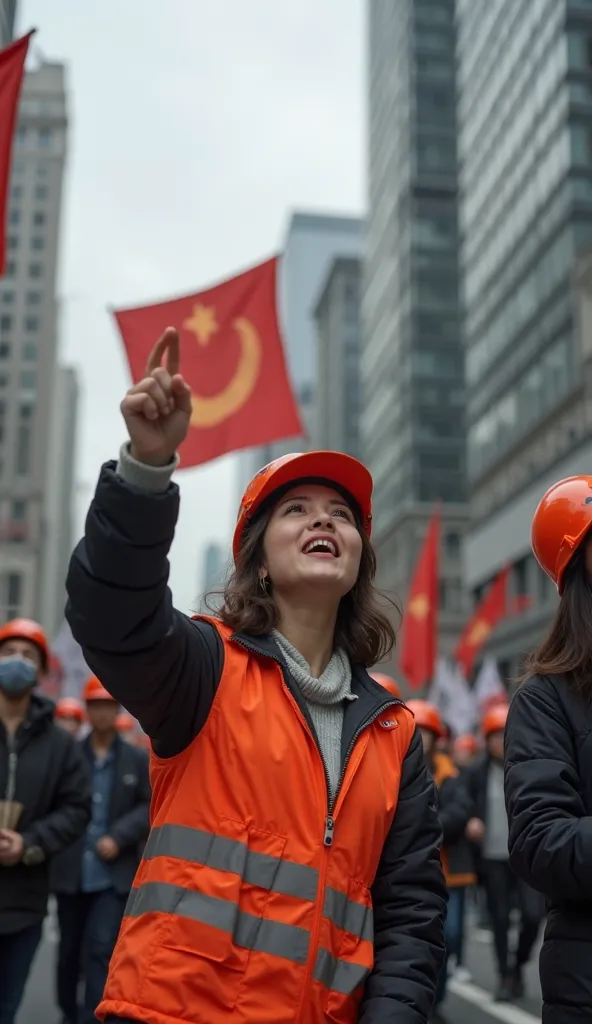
325 697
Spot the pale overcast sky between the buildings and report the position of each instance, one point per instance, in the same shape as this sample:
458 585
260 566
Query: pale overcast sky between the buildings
196 129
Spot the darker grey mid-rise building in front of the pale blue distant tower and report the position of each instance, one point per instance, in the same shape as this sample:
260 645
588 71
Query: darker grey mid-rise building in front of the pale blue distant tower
339 329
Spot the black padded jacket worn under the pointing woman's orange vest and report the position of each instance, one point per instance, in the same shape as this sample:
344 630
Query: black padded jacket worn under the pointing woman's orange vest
165 668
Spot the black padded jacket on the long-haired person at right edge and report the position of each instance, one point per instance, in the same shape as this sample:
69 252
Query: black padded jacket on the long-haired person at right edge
548 785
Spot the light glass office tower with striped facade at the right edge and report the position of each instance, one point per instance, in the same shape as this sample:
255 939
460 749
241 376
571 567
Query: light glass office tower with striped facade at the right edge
526 140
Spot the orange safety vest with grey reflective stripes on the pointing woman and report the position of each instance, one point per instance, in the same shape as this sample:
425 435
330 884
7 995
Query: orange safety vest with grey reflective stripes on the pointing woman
250 904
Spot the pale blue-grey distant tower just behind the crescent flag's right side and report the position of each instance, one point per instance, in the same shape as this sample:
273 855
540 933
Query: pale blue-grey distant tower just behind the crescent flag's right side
312 243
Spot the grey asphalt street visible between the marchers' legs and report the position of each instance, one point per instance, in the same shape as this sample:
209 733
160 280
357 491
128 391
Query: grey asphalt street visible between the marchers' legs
469 1003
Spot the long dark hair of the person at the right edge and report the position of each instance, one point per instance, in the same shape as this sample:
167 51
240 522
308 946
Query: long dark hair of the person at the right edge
567 650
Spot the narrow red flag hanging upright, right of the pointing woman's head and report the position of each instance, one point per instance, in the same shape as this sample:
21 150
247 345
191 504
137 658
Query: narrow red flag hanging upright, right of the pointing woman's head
419 634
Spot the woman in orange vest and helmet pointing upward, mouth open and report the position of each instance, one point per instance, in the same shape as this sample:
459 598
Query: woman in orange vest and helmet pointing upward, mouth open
292 873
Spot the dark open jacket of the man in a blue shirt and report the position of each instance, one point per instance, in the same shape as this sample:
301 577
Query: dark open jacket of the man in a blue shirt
129 823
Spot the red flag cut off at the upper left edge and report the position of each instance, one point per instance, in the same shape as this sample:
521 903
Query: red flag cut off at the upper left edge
12 72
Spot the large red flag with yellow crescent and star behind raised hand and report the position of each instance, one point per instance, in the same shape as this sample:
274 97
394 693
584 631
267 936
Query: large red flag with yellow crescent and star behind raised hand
232 358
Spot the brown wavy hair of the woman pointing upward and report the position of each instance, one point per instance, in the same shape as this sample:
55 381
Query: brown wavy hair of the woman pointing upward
362 629
